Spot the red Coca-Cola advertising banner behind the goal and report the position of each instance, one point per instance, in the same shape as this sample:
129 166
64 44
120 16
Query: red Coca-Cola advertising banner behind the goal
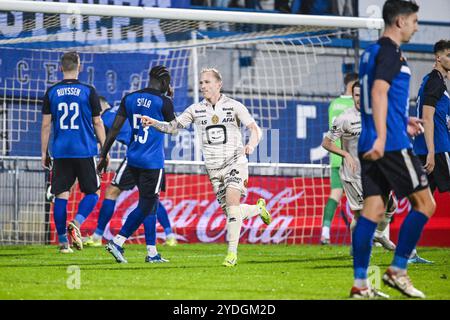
296 205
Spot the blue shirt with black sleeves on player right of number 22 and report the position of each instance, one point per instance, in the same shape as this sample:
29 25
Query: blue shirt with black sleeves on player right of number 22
146 149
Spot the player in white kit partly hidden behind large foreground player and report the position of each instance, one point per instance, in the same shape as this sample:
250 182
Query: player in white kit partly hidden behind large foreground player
347 127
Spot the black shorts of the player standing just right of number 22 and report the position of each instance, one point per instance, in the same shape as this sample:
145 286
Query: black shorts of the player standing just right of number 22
149 181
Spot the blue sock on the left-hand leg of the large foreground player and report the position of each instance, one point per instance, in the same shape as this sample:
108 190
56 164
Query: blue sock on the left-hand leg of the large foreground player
362 246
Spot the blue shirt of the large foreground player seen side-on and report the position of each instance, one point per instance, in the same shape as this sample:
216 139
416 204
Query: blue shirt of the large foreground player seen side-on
384 61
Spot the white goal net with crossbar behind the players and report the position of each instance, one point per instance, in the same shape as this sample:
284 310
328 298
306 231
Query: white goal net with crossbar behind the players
284 68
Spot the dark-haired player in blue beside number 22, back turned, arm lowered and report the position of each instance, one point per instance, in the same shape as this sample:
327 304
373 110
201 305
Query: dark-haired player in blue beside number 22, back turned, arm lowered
145 154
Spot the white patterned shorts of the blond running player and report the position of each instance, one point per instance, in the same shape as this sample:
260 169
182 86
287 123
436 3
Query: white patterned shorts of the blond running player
232 176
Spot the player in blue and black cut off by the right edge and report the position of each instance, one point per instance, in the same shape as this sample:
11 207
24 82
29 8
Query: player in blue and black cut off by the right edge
433 106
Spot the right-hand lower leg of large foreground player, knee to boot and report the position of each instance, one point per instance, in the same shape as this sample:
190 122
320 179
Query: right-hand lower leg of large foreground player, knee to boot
423 207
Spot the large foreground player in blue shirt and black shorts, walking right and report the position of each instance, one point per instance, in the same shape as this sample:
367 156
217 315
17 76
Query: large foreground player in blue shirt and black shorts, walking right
385 152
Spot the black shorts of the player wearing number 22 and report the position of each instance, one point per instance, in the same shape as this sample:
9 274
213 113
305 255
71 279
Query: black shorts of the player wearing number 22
66 170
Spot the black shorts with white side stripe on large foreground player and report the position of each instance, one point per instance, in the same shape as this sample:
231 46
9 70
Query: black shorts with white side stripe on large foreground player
400 171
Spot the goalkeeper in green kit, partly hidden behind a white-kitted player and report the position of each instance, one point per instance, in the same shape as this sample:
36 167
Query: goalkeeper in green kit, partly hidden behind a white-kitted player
337 106
